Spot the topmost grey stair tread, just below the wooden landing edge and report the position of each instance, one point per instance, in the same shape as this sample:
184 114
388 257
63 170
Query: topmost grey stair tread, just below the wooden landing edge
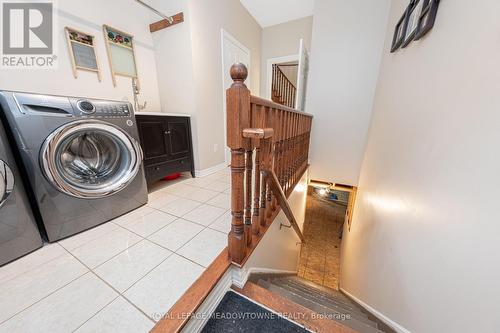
359 323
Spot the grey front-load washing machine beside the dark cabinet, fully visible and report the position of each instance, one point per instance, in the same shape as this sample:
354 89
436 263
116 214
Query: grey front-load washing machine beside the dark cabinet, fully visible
81 157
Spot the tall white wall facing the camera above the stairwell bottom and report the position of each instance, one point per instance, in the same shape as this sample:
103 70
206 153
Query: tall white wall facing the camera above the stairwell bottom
347 42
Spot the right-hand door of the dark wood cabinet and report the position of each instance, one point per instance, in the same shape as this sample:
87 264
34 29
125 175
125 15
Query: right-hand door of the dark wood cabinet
178 137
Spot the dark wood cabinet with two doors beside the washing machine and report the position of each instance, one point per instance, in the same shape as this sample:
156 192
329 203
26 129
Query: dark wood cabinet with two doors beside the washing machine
166 144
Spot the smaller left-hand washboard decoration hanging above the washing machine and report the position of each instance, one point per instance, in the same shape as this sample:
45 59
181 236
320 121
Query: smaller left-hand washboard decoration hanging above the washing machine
82 52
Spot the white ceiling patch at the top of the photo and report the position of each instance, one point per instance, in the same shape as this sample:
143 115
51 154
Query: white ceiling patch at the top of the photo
271 12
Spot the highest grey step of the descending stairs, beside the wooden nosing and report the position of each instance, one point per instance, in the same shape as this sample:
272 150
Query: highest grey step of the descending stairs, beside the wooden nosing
358 325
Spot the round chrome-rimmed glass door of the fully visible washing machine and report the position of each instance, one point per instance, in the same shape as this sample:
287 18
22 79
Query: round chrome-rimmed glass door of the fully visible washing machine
90 159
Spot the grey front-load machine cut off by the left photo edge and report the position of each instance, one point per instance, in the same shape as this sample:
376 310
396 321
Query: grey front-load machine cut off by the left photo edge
18 230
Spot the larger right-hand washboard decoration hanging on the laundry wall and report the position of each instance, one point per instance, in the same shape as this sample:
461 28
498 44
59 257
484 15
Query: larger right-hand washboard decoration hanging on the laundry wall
121 53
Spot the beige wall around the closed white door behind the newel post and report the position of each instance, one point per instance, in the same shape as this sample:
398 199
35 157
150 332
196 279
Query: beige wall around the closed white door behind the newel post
208 18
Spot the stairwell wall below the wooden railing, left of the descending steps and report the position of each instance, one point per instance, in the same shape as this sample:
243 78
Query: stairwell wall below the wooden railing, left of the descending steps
278 249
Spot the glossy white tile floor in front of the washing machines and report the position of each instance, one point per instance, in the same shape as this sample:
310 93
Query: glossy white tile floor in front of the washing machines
122 275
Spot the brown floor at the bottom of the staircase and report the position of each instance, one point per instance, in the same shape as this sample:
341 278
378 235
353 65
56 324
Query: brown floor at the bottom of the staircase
320 255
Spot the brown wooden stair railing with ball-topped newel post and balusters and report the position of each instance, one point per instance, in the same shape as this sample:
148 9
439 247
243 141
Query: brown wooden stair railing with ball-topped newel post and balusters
269 145
